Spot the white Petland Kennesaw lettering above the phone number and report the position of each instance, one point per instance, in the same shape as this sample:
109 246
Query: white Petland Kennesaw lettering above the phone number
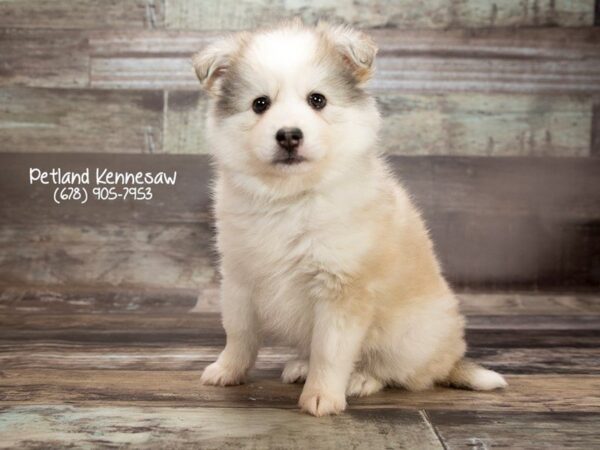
103 176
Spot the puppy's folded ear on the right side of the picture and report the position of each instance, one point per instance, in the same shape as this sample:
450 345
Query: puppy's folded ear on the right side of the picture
356 48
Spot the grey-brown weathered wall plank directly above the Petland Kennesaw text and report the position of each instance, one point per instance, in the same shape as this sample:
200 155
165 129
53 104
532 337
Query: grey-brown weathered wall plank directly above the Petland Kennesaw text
83 121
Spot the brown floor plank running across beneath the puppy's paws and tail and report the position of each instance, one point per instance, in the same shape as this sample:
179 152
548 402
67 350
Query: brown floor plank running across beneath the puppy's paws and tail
182 388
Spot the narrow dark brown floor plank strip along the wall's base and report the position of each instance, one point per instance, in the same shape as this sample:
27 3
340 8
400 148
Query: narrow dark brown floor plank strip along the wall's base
90 300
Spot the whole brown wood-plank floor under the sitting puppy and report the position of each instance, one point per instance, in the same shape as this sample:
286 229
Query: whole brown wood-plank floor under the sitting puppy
123 368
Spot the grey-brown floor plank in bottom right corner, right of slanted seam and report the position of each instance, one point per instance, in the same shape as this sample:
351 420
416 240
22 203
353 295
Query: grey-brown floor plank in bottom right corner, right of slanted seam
539 430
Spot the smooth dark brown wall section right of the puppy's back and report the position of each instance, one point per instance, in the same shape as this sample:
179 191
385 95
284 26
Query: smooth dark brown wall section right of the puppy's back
540 241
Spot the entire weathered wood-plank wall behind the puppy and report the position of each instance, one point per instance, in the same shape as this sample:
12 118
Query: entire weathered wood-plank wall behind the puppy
491 115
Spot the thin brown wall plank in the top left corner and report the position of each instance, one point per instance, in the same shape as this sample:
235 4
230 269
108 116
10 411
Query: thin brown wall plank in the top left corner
72 14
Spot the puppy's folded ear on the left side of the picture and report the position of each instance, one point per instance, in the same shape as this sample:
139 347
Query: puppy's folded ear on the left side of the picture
215 60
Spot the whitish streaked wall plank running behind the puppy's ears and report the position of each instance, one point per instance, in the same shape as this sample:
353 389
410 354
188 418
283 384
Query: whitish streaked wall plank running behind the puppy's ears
508 61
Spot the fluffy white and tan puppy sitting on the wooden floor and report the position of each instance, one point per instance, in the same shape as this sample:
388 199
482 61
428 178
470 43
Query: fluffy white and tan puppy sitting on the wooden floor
319 245
